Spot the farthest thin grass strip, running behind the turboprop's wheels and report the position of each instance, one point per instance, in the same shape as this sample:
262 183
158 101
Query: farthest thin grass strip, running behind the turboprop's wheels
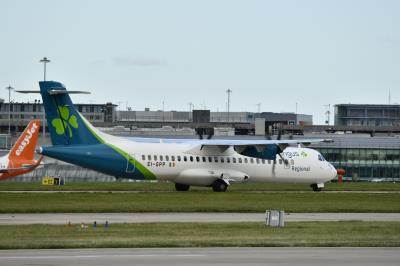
167 186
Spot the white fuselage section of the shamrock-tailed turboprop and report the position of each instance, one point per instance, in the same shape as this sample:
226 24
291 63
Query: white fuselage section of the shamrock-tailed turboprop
172 162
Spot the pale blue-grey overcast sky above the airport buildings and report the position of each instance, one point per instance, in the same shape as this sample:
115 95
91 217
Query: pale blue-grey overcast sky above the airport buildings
144 53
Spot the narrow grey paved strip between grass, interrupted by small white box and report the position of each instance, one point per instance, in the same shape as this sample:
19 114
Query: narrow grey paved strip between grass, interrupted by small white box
64 218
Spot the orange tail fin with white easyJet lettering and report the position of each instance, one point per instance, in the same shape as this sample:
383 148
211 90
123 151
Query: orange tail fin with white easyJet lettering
24 148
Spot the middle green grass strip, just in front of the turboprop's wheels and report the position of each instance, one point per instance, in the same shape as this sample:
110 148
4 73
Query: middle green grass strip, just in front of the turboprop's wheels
198 201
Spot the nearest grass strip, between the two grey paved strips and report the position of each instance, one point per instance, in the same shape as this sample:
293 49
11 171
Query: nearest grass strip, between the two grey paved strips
306 234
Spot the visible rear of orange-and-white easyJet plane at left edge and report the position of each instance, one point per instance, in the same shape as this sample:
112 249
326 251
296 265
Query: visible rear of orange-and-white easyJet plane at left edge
20 159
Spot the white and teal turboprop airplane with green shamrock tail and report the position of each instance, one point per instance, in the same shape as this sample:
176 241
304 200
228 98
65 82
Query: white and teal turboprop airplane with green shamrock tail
212 163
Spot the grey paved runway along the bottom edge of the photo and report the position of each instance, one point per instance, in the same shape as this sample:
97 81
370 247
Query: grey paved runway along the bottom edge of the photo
204 256
